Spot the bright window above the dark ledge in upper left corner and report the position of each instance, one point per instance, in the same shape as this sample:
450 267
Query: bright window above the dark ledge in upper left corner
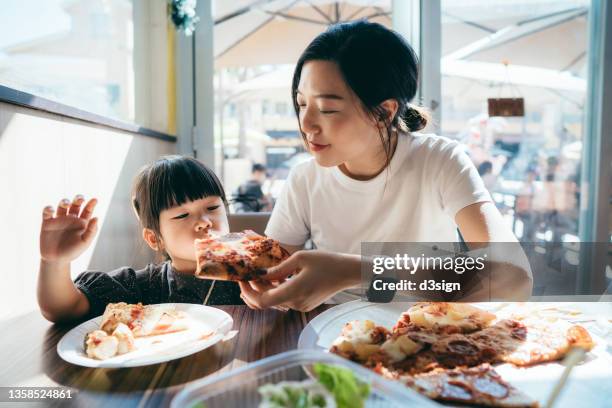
107 57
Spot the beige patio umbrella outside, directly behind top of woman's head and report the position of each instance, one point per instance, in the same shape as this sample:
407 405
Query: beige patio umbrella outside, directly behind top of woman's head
260 32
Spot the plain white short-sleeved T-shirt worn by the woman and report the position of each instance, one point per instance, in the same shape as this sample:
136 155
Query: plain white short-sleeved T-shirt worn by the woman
429 179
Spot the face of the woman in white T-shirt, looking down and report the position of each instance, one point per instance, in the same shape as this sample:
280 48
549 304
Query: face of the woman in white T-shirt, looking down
336 127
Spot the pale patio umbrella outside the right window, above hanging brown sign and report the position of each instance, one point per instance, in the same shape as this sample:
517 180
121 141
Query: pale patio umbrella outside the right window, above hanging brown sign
544 45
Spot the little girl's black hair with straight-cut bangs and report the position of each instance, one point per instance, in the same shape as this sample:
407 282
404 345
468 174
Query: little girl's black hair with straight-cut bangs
169 182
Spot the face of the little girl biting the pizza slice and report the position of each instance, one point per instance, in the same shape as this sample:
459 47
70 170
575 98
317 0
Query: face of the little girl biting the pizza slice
181 225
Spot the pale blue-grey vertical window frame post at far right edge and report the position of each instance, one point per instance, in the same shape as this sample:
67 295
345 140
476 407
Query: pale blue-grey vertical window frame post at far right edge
595 201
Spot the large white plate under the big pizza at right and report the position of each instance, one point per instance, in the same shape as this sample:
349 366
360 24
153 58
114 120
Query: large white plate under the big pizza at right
589 383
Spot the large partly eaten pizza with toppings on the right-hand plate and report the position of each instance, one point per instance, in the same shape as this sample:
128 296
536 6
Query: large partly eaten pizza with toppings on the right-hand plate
444 350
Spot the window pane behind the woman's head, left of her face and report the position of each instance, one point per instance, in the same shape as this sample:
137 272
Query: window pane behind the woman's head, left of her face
255 50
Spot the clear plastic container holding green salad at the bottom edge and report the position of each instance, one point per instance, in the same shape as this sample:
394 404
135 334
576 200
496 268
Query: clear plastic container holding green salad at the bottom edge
238 388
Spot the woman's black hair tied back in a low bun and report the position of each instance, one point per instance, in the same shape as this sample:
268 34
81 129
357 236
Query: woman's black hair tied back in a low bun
377 64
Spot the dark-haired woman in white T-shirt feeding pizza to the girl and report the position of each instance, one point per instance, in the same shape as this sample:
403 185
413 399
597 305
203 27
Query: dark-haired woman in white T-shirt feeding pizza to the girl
372 179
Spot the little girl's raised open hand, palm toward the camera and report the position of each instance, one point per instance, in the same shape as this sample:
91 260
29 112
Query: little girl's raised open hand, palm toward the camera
67 232
